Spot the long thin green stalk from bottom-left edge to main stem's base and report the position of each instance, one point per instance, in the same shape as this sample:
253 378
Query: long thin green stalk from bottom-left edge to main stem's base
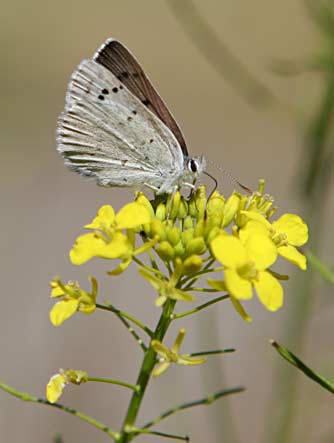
27 397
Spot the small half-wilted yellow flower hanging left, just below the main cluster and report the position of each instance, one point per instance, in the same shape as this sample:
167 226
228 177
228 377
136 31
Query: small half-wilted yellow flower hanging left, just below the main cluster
73 299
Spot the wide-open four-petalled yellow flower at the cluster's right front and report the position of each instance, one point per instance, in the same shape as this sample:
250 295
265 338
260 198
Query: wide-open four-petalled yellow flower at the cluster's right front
245 267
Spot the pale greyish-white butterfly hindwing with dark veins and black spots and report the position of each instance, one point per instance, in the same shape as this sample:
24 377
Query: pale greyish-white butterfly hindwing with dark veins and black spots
107 132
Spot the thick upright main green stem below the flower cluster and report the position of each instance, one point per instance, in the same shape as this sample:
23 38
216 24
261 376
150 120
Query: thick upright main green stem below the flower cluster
146 369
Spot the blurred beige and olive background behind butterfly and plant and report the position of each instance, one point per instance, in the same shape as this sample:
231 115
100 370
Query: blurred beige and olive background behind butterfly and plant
250 102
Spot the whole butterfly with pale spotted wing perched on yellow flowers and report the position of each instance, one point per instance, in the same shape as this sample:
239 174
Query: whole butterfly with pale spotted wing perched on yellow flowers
116 128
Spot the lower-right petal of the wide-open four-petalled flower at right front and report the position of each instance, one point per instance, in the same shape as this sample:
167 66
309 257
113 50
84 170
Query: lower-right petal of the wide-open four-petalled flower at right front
269 291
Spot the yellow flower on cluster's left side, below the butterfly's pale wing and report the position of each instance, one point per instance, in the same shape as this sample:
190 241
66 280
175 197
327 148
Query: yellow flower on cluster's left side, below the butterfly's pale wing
108 241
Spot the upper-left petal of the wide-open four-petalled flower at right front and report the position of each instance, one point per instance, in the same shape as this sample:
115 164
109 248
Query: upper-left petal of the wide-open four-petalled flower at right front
229 251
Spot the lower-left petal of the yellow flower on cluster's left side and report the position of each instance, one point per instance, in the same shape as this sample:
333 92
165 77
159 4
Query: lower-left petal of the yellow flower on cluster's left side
86 247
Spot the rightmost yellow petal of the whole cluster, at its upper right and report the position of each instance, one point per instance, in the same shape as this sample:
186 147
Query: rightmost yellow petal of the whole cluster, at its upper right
294 227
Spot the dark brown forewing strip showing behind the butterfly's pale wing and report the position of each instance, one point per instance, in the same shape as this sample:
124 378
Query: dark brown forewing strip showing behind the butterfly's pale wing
117 59
